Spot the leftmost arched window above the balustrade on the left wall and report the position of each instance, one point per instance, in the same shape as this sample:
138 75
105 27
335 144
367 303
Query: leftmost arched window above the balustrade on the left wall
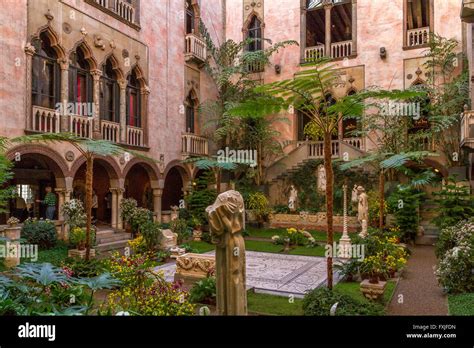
46 77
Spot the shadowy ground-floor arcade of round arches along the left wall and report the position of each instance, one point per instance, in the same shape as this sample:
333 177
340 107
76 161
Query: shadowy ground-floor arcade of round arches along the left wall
37 167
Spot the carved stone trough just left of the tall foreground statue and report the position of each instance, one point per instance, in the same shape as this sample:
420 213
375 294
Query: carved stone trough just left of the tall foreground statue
191 268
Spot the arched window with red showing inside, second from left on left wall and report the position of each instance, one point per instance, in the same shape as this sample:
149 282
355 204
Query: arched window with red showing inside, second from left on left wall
80 82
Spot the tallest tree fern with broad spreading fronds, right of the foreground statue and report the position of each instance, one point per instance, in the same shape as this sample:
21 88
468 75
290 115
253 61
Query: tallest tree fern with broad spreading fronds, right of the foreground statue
309 92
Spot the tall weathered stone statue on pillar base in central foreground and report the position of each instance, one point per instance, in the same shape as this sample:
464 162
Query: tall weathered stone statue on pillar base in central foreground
226 220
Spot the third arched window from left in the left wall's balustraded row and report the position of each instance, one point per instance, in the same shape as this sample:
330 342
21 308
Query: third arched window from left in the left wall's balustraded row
109 94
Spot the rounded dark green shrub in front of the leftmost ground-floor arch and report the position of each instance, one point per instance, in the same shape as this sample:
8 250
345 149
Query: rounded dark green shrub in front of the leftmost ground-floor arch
40 232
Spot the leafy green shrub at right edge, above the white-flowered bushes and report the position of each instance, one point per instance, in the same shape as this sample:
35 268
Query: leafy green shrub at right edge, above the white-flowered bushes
454 204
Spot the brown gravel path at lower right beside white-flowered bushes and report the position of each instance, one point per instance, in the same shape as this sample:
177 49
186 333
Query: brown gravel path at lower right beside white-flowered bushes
419 287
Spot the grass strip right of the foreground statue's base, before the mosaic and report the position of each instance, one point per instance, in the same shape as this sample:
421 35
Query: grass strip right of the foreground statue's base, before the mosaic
273 305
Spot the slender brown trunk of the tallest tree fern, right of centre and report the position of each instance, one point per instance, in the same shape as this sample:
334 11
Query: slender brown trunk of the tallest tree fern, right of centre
329 202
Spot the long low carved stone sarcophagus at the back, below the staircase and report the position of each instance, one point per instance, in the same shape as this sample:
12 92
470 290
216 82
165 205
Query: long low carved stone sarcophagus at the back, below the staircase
311 221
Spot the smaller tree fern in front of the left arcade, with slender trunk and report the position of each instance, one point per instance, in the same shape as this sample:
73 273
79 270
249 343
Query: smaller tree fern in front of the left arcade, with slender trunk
89 148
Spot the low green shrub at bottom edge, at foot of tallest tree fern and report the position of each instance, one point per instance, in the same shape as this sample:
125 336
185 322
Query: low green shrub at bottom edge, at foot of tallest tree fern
319 301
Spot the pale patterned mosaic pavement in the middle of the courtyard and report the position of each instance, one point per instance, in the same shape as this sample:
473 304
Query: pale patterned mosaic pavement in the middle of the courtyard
277 274
